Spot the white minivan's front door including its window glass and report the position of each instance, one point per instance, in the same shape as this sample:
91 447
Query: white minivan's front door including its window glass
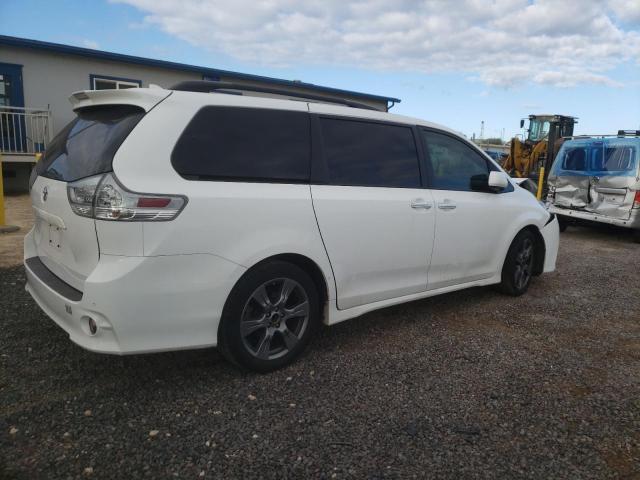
470 225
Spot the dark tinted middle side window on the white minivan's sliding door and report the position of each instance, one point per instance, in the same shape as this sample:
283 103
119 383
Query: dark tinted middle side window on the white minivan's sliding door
370 154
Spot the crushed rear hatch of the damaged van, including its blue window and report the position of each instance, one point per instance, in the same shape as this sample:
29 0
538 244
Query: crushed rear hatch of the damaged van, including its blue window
596 176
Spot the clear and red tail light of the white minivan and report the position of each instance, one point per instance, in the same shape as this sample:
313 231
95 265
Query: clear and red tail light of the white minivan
102 197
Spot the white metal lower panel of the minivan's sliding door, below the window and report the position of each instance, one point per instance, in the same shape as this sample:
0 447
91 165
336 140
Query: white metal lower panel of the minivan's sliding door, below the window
394 240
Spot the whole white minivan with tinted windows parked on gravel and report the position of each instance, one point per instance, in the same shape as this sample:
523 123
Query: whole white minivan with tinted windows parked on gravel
174 219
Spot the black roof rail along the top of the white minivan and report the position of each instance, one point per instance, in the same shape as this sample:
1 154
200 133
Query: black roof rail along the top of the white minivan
207 86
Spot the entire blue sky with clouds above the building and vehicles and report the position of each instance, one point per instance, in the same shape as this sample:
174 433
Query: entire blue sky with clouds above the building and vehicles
453 62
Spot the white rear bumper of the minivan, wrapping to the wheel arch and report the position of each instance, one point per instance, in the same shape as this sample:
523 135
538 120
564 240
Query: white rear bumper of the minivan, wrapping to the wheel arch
140 304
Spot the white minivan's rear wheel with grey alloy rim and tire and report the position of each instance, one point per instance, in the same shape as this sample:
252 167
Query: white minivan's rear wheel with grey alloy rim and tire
269 318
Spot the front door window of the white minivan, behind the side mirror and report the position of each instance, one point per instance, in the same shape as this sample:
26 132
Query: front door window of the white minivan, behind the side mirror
452 162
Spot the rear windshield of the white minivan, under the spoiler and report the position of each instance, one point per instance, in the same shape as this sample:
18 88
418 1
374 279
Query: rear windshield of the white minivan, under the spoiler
86 146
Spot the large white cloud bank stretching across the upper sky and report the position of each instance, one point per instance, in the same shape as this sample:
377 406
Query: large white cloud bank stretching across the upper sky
501 43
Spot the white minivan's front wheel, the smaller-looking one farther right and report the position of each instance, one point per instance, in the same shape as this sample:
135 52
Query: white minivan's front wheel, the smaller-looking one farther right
518 265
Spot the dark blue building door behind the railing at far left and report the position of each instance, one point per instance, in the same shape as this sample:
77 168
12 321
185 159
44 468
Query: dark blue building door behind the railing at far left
13 134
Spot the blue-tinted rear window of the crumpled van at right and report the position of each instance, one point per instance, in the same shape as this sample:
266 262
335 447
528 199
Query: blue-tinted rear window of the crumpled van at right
597 158
